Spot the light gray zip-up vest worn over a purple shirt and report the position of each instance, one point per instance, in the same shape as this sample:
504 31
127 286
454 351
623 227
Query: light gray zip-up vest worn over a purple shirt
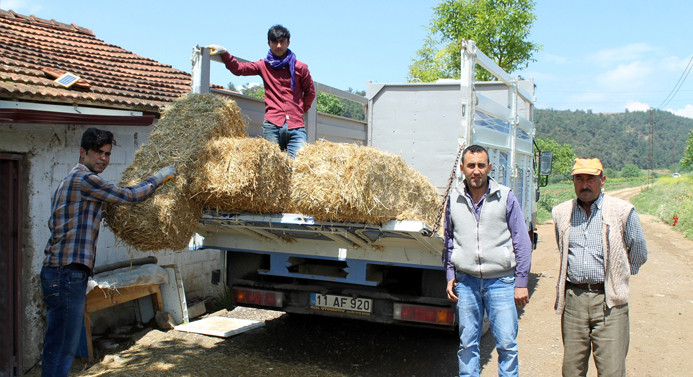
483 248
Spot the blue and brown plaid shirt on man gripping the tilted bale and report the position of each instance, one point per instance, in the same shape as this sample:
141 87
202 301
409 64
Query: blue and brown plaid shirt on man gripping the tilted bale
77 207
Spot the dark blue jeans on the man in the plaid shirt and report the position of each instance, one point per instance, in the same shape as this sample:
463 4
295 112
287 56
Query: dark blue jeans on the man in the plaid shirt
64 292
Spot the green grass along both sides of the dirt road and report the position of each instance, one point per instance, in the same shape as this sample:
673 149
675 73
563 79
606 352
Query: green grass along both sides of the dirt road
669 198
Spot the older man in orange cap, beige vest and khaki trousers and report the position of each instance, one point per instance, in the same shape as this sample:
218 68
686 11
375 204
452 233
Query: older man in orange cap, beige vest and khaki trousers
601 244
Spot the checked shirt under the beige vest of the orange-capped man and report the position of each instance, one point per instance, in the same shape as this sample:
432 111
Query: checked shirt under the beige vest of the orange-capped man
585 251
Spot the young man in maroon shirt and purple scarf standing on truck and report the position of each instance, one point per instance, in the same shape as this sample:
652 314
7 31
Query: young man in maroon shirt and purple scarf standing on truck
289 88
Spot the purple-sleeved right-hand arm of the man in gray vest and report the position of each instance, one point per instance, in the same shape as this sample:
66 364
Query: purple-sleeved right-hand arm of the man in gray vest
522 246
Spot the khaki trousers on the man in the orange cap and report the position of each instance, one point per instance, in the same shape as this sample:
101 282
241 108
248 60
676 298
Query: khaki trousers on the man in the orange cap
588 326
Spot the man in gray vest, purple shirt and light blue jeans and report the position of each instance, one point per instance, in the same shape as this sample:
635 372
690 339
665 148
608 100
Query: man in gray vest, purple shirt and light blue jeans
487 259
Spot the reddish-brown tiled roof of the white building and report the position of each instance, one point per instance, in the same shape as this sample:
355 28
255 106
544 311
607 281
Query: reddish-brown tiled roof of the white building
34 51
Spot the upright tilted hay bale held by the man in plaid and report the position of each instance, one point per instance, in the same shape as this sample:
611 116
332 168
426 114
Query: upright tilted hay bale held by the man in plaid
168 218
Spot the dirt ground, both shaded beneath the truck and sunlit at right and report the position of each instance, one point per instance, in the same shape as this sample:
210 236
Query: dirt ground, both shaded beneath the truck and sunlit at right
661 313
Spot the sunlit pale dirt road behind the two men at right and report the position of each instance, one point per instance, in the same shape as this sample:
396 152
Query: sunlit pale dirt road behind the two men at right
661 307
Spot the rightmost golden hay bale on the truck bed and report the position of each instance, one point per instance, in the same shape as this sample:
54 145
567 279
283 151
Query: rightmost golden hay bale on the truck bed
347 182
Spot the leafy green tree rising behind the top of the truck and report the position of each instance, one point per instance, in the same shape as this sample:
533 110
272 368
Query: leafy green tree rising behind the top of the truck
500 29
